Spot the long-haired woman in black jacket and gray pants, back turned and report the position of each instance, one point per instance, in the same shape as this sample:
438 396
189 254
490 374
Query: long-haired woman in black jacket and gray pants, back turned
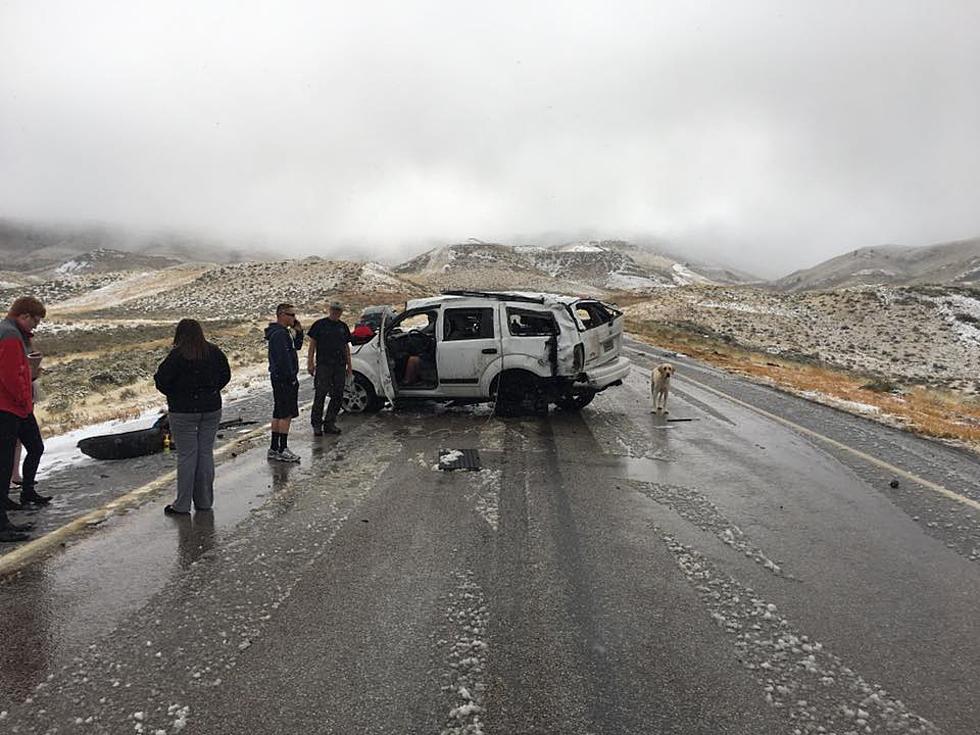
191 377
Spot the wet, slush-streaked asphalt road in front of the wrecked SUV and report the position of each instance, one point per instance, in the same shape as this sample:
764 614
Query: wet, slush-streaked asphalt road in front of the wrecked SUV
608 572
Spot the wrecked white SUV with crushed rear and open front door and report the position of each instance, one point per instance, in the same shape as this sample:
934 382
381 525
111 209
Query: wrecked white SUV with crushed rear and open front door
522 351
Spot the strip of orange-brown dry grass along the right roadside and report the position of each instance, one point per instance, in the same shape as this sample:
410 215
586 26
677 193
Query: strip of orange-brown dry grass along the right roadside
926 411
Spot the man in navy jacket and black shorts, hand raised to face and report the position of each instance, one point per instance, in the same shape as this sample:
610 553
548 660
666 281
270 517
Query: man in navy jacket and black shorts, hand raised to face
285 337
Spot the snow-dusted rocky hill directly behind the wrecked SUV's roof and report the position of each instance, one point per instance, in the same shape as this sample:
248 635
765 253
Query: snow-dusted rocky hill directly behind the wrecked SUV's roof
592 267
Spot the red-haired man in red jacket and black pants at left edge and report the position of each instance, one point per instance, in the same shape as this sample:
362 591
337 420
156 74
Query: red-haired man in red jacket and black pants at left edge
17 420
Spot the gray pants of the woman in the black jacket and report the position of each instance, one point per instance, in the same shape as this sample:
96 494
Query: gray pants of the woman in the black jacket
194 435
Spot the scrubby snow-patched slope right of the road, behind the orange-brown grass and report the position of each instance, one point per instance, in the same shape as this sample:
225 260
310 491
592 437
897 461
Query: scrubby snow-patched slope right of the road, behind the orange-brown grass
922 335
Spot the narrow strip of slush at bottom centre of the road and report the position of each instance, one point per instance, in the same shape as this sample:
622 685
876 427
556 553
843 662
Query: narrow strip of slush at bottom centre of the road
468 617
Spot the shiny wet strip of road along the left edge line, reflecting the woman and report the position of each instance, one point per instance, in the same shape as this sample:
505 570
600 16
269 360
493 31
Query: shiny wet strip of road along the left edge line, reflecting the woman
70 597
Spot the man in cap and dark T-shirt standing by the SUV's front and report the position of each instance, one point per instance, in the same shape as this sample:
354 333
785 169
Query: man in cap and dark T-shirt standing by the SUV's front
328 361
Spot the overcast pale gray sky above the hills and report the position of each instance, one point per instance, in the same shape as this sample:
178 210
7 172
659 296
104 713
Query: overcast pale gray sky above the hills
763 134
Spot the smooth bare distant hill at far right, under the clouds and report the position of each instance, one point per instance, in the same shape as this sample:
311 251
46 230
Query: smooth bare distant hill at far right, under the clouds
953 263
